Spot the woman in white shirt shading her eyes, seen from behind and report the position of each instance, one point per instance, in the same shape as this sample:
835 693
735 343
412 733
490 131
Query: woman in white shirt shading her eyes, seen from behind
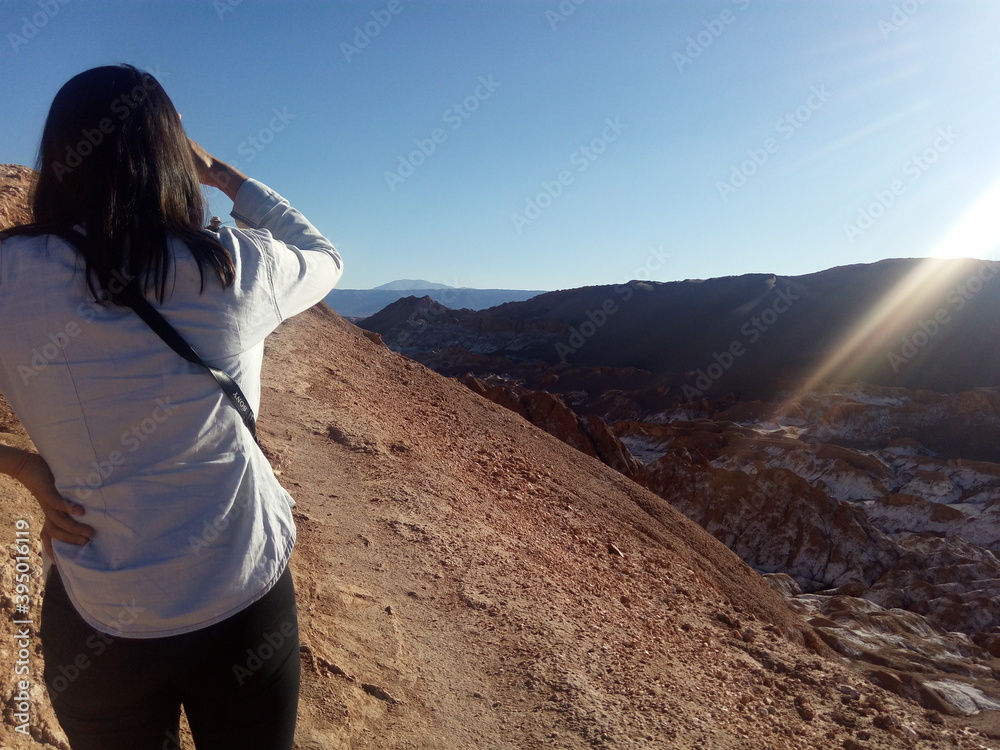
176 590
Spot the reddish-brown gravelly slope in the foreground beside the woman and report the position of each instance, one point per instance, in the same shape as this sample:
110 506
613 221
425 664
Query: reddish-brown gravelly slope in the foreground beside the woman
467 580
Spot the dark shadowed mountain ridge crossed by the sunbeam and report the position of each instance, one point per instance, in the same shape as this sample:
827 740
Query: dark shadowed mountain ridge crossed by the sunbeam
908 323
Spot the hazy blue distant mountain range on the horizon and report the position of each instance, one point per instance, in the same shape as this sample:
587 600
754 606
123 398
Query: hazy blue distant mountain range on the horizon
362 303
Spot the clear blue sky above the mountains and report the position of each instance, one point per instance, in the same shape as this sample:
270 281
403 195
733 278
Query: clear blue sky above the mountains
680 139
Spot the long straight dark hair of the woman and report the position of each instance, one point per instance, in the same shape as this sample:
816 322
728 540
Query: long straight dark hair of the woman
114 158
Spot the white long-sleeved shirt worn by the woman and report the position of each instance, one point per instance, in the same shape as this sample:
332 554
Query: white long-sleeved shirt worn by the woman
191 525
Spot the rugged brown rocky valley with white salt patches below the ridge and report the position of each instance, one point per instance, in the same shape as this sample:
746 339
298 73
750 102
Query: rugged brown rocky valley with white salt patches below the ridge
890 553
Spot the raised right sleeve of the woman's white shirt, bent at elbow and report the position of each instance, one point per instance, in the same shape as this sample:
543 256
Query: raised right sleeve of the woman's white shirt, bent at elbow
303 266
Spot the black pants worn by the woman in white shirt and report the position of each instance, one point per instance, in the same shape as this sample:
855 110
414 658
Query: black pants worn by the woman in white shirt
238 680
